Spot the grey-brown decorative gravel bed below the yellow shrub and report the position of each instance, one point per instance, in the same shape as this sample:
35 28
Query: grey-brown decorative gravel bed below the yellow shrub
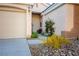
69 50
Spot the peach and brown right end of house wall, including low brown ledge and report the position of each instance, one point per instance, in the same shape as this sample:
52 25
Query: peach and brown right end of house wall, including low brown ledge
74 18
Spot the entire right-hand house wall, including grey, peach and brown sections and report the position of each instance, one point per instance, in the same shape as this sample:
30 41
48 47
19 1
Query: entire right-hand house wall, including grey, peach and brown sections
66 19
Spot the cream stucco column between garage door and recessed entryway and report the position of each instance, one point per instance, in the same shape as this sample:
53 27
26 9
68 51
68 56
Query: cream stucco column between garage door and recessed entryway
28 22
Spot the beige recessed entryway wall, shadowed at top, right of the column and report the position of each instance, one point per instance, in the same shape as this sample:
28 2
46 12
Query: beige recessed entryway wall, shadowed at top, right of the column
36 18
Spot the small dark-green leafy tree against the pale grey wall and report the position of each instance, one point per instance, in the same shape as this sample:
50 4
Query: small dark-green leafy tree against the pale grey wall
49 27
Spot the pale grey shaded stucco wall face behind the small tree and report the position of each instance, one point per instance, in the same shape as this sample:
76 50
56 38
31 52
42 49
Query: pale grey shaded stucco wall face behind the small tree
59 17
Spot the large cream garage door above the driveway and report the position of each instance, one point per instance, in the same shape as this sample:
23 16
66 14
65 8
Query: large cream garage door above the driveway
12 24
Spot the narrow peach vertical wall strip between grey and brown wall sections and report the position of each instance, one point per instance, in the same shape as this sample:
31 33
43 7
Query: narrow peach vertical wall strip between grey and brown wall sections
69 17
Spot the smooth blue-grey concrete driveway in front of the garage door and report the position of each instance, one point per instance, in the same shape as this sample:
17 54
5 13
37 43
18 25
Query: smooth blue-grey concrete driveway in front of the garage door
14 47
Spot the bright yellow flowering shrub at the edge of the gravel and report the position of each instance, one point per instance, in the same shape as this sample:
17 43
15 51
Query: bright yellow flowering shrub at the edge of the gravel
56 41
